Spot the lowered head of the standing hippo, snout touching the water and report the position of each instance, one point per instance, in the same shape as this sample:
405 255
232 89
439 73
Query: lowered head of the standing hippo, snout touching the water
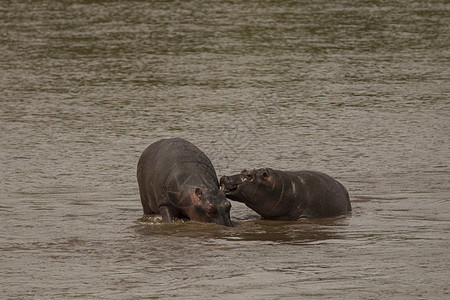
210 205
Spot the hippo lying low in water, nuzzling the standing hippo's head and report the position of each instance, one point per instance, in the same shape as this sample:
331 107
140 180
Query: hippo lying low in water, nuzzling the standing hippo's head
282 195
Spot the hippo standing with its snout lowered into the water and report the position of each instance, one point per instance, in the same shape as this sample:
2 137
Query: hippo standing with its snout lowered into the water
177 180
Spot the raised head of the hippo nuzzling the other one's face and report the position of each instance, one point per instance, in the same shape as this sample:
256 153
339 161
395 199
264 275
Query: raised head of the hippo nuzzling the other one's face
258 189
